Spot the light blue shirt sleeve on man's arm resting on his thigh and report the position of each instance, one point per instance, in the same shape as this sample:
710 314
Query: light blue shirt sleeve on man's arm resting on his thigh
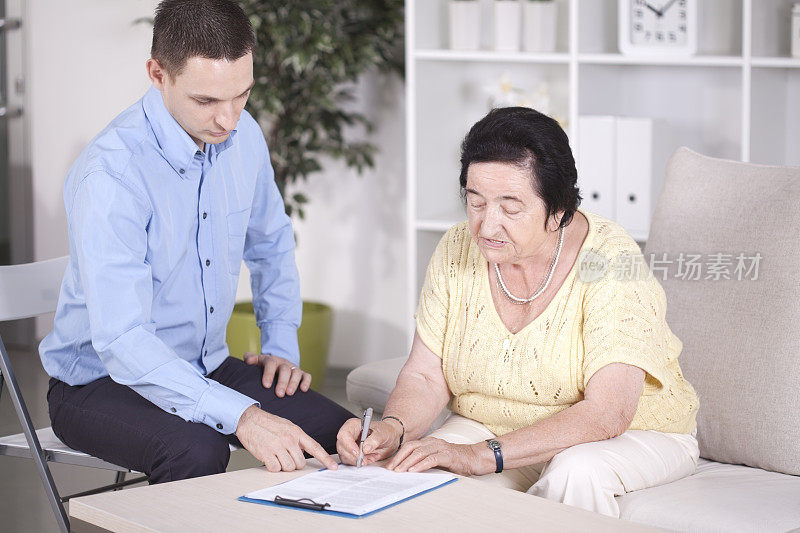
269 255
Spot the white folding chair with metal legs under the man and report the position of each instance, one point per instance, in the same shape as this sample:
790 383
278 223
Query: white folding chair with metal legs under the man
27 291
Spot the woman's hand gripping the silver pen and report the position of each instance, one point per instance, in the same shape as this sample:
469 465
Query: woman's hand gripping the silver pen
382 441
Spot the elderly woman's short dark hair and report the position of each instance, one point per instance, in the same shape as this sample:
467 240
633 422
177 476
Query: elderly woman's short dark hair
530 140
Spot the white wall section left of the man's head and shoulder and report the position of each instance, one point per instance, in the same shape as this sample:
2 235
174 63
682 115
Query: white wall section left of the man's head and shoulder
85 64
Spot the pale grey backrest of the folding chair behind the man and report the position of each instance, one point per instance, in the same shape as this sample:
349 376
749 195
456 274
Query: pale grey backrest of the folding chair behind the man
31 289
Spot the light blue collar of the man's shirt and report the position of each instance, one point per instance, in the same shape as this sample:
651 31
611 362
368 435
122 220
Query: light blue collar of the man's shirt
178 147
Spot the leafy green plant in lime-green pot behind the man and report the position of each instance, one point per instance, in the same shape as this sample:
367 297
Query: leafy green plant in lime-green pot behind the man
309 57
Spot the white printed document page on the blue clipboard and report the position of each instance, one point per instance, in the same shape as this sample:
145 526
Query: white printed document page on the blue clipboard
354 490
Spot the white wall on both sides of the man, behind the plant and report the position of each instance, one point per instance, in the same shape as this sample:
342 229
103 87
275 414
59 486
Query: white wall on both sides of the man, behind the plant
85 63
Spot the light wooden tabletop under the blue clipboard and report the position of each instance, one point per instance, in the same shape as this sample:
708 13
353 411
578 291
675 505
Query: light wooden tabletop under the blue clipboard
209 504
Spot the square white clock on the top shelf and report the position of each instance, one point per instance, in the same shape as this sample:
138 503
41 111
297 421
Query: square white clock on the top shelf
658 22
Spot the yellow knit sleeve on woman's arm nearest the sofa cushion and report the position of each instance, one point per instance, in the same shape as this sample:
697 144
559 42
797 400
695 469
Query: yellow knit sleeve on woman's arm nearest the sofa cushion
625 322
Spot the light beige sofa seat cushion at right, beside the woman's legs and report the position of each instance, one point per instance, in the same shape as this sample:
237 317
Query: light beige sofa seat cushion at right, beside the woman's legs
719 497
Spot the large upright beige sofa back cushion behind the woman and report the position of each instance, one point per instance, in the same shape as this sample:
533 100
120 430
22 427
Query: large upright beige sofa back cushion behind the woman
741 338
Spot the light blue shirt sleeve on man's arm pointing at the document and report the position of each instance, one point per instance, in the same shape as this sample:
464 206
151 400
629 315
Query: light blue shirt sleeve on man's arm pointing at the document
107 225
